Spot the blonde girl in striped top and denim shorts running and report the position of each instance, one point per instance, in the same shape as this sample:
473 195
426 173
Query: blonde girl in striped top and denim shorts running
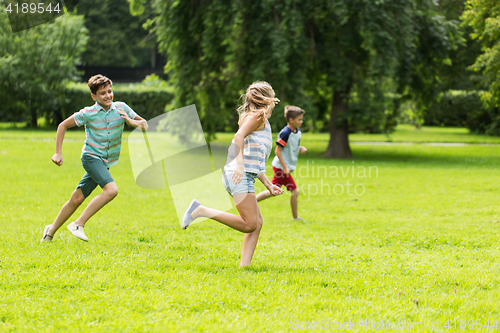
246 161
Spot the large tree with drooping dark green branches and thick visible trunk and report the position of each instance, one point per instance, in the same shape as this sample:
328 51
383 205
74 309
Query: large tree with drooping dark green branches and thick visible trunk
351 47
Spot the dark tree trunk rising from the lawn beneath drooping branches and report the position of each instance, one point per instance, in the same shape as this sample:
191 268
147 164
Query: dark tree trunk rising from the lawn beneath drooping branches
338 147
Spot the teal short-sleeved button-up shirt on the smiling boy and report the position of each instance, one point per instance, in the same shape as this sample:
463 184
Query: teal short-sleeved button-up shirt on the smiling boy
103 130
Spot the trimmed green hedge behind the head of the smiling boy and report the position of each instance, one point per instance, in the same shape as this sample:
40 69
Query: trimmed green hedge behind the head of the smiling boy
147 100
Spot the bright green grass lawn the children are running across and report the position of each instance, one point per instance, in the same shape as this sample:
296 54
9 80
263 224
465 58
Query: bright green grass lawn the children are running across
419 245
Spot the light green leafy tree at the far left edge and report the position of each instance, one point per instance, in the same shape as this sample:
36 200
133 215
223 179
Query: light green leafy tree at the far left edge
35 63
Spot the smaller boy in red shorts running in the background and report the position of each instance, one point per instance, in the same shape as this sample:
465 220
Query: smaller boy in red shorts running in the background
287 153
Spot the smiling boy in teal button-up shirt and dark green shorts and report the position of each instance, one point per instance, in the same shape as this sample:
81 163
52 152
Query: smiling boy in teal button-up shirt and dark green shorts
104 122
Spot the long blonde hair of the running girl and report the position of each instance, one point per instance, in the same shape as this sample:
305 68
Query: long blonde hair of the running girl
259 100
